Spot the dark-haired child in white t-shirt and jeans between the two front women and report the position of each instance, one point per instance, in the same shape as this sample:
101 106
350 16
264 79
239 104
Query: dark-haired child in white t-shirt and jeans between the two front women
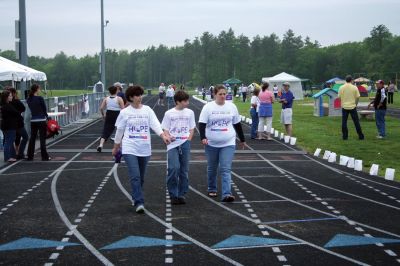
179 123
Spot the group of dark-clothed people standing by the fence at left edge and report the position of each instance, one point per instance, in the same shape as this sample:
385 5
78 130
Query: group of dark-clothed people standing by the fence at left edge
13 126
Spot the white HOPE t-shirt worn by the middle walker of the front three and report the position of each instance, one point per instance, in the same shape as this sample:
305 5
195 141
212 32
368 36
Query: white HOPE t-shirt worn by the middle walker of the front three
178 123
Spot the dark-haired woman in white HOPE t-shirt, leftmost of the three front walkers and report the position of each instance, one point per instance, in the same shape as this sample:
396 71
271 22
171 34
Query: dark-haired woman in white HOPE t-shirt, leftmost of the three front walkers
133 130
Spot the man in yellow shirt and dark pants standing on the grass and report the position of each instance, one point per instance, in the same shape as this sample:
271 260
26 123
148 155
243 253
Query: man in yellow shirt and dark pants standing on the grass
349 96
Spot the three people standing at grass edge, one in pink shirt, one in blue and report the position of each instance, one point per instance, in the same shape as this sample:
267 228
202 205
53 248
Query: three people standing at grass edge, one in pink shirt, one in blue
261 110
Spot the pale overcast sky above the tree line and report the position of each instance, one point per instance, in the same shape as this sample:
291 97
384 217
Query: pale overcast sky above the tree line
73 26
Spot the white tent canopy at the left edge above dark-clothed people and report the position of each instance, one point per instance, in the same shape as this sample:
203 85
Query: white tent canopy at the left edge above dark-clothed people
10 70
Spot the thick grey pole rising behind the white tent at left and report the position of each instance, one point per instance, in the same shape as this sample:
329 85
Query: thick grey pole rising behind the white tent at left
23 42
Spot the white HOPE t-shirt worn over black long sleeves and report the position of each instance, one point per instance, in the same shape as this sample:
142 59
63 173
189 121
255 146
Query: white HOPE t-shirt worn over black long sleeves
220 120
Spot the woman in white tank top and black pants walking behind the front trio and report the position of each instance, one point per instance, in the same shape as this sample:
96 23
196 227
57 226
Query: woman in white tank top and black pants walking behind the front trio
113 104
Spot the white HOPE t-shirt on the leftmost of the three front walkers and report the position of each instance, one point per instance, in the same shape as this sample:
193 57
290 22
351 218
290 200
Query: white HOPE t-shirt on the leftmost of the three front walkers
137 124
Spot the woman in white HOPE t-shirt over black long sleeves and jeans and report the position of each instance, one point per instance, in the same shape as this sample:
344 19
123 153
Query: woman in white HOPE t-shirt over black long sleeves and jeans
218 124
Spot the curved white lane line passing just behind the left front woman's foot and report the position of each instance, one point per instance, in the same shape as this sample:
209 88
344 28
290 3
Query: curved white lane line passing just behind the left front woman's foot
177 231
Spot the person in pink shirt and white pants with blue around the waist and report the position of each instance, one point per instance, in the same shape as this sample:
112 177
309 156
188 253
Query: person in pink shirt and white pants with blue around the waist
265 111
